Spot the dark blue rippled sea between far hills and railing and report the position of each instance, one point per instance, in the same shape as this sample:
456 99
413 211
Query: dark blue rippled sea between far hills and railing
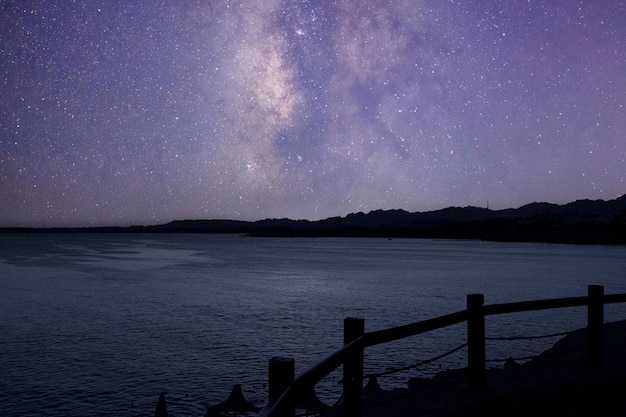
101 324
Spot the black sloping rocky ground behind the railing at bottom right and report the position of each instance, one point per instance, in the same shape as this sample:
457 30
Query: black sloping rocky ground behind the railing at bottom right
557 383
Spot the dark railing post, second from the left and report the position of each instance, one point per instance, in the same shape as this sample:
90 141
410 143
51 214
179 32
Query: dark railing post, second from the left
353 328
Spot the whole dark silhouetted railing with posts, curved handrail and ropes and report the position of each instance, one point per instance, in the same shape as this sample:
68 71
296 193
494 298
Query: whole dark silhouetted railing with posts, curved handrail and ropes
284 390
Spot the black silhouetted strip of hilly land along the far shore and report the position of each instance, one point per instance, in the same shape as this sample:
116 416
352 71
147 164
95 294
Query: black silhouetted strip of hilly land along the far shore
582 221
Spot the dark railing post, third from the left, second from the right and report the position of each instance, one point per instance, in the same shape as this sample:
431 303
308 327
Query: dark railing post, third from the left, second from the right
476 356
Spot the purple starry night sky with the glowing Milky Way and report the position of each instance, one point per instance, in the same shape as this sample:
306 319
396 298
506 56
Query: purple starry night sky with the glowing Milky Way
141 112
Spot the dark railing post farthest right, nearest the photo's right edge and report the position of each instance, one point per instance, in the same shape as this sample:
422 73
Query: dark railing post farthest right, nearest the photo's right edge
595 326
